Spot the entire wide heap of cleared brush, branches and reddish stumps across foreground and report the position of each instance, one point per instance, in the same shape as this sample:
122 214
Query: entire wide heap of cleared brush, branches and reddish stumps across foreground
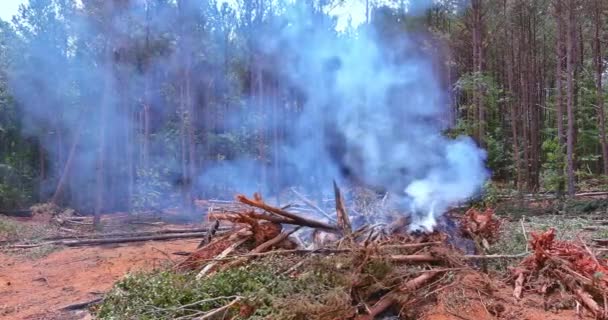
278 263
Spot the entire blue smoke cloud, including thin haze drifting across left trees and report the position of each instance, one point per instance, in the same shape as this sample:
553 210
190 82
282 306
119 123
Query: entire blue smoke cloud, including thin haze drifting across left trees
363 104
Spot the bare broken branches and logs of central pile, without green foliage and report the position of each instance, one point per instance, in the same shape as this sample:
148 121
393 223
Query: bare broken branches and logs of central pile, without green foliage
422 262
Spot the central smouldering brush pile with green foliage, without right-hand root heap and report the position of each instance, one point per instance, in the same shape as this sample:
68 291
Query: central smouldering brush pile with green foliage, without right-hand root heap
283 265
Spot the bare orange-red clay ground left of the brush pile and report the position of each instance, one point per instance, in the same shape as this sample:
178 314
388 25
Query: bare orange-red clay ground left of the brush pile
37 289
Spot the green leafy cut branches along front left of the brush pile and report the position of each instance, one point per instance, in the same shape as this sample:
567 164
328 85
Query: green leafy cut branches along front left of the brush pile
267 289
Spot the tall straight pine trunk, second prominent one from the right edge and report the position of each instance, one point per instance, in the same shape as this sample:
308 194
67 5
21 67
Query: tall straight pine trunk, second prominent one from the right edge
570 97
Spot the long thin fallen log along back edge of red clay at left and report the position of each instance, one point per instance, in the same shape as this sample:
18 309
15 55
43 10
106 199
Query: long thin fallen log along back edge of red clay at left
93 242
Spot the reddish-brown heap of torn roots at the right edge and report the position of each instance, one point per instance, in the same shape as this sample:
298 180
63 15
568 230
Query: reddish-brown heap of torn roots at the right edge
563 266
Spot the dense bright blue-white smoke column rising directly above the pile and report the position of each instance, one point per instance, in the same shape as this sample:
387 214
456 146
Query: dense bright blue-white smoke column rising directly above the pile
374 111
